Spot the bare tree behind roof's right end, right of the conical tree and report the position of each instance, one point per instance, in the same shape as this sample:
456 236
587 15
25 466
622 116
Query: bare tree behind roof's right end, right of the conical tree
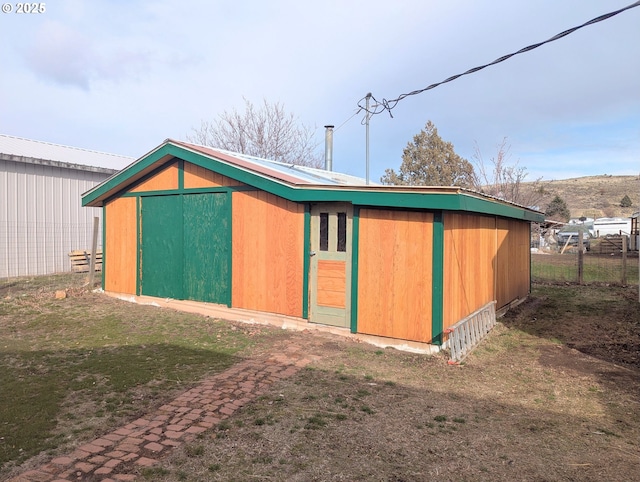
506 180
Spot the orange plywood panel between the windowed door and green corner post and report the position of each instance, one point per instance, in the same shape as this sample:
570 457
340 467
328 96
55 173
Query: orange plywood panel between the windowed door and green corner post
395 274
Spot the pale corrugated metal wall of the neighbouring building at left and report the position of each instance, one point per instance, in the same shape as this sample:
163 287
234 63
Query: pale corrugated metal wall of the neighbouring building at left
42 218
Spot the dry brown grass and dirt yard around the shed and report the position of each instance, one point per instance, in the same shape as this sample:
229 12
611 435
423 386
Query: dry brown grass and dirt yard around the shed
552 394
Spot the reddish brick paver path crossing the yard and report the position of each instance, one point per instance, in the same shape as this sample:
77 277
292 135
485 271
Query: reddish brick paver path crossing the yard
141 443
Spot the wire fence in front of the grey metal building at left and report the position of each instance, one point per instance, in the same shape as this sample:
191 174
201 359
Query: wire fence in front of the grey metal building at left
39 248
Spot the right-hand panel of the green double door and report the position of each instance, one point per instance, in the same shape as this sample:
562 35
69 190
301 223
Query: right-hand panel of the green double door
207 247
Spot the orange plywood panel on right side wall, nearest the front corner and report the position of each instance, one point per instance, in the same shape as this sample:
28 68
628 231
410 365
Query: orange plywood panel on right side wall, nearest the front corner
469 260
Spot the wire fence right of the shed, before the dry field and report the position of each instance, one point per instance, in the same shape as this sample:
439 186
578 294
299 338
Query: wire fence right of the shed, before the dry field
596 267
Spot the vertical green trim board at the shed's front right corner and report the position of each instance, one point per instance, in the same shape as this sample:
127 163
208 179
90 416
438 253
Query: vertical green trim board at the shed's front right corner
437 293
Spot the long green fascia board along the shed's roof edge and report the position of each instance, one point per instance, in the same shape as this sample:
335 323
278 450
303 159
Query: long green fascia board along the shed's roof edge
456 200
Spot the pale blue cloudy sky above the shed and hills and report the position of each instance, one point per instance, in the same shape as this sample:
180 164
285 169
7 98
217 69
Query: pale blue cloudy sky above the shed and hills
122 76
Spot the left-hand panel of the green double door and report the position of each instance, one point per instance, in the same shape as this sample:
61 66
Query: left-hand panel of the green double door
161 247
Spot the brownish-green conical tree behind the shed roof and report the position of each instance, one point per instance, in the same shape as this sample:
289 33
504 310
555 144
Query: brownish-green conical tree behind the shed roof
430 161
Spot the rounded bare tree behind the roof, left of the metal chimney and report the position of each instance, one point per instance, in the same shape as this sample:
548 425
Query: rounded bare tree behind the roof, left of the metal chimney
267 131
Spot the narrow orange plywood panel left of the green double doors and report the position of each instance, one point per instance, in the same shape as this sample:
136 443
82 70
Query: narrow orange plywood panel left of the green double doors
120 246
